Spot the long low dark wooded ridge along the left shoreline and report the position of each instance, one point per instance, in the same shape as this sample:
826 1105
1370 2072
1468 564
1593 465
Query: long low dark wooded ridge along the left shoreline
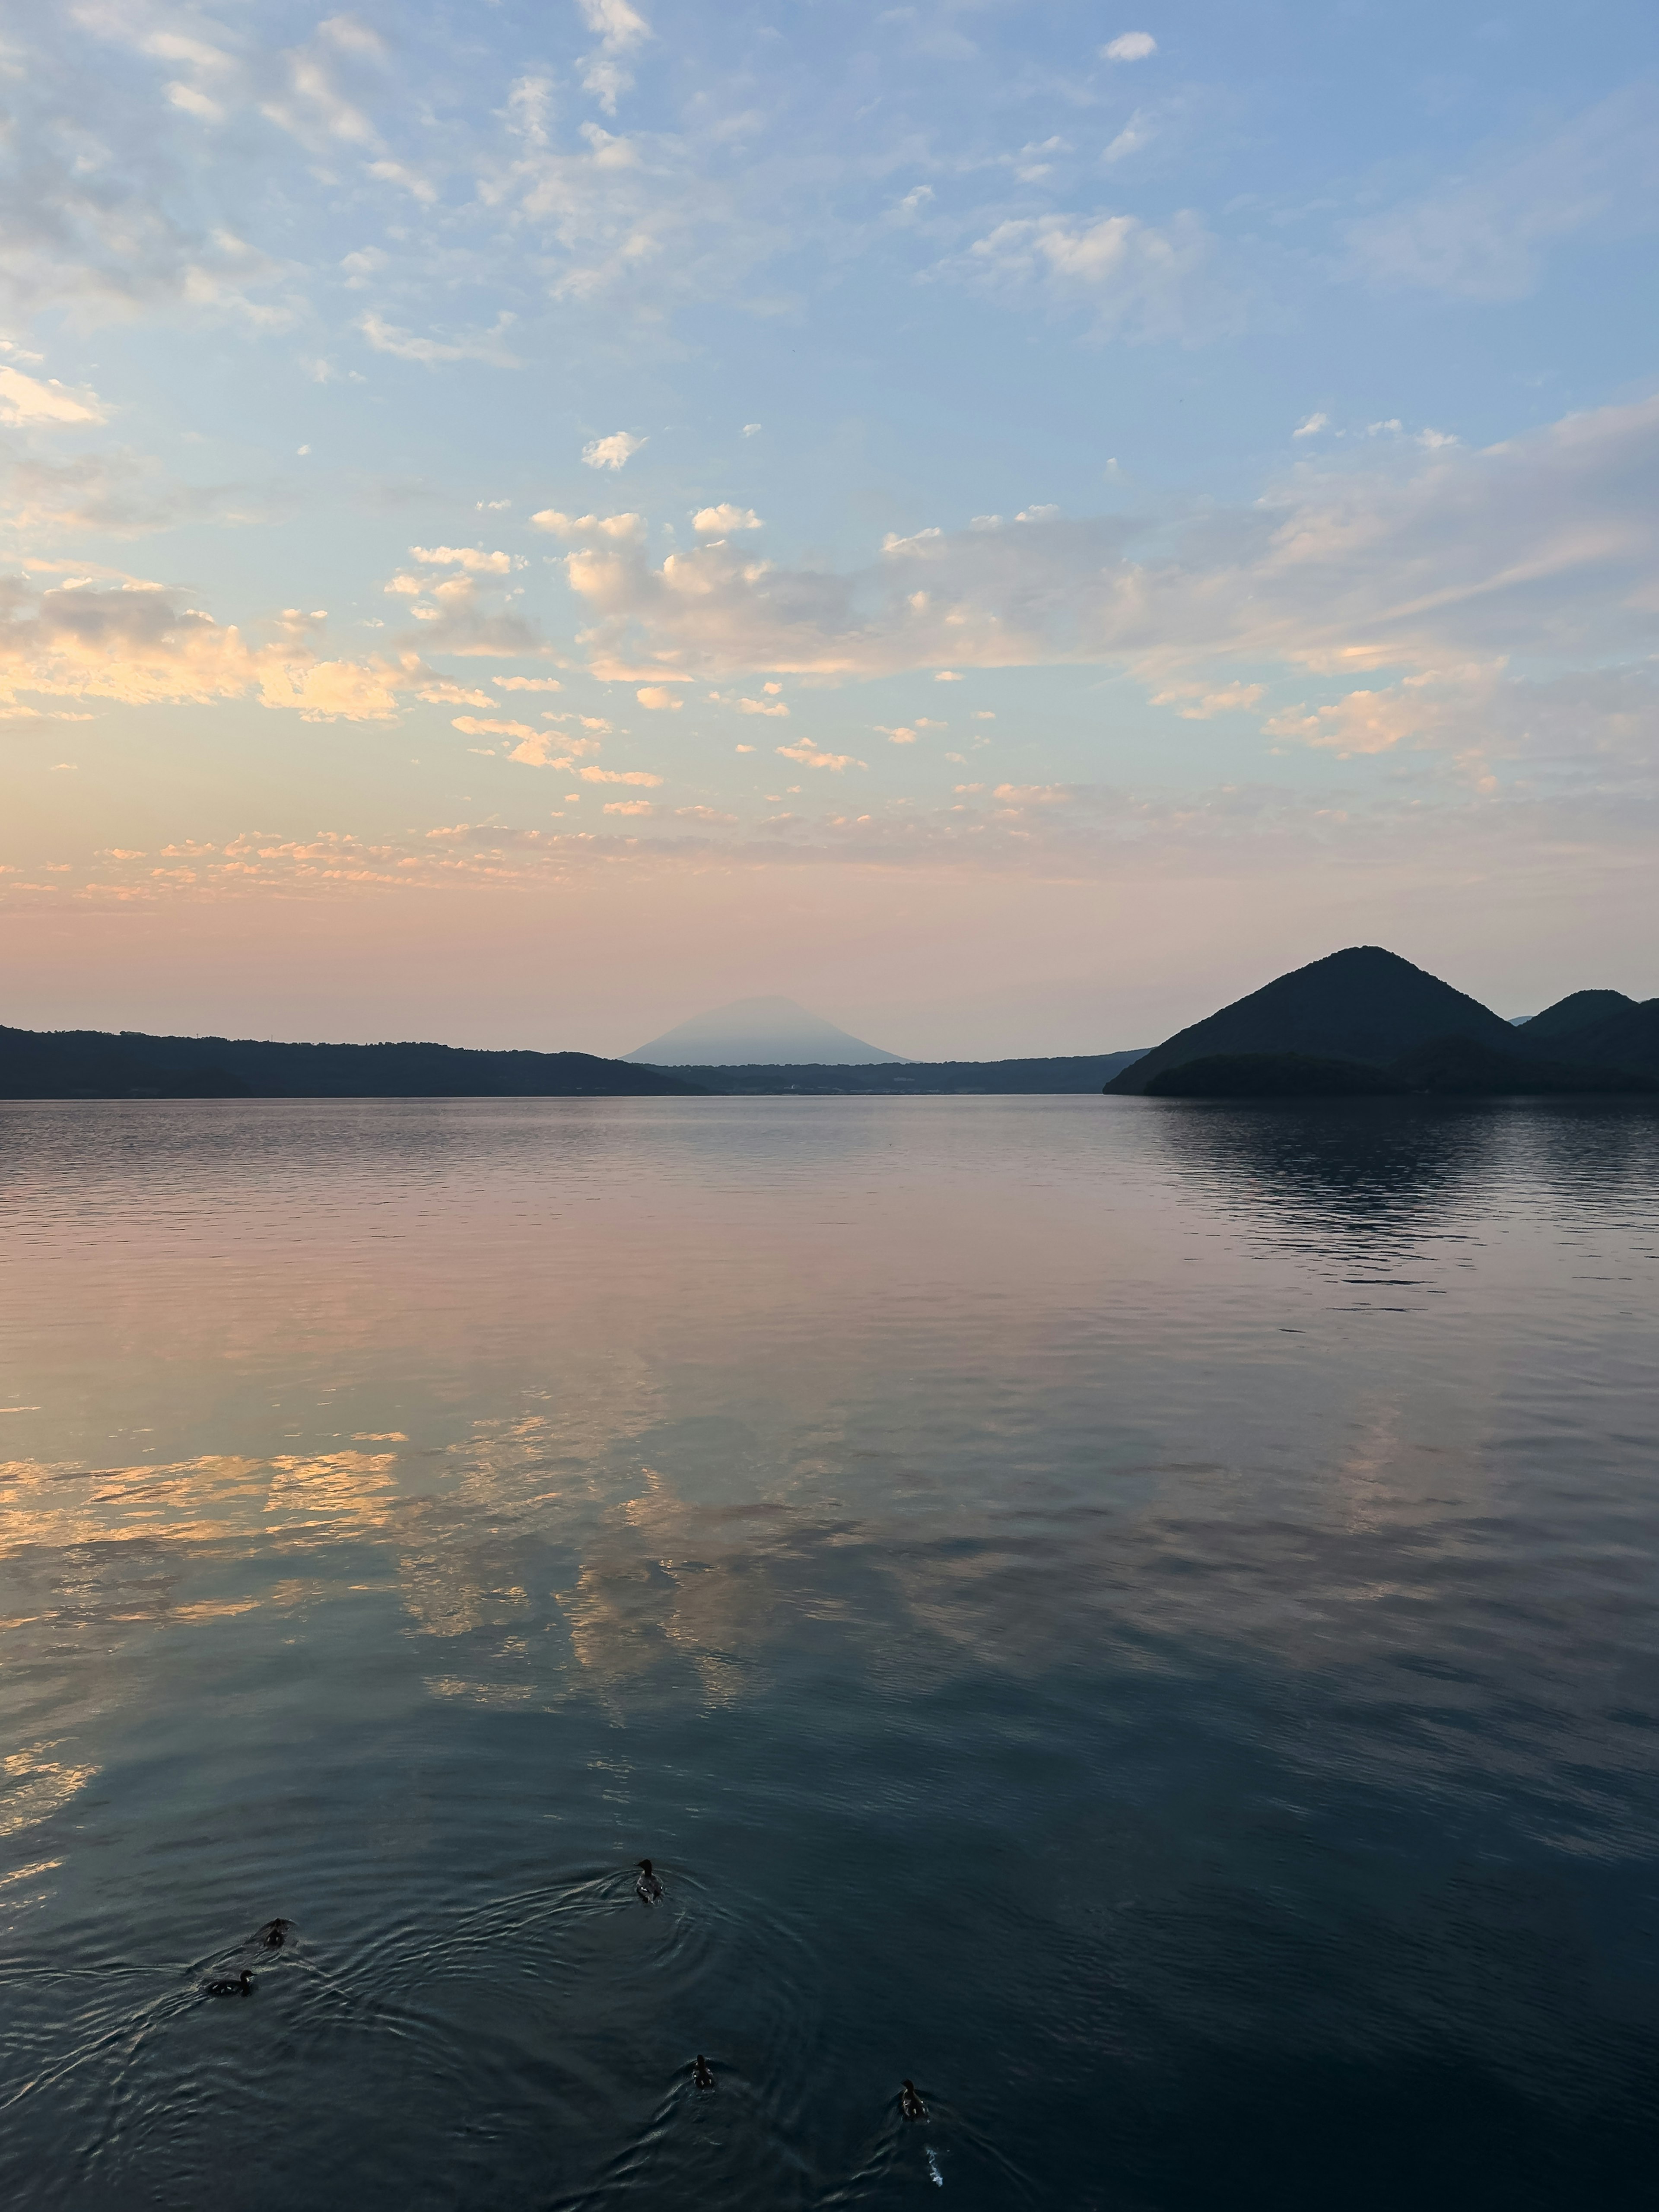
96 1063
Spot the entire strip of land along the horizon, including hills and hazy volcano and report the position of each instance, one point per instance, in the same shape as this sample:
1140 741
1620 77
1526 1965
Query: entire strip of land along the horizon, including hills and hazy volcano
1359 1023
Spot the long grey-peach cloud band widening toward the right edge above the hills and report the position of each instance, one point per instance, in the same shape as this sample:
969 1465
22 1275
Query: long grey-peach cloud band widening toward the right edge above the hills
1545 545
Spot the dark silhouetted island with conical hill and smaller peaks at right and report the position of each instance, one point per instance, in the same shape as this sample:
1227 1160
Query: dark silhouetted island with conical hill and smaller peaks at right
1368 1021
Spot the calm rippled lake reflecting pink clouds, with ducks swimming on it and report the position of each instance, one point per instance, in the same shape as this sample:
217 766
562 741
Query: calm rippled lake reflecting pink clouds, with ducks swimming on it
1142 1616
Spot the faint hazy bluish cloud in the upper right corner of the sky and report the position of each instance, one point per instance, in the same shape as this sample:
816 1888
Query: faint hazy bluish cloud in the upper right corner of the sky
1488 236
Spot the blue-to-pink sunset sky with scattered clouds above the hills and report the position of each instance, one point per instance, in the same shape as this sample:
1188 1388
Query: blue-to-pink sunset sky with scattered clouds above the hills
1005 523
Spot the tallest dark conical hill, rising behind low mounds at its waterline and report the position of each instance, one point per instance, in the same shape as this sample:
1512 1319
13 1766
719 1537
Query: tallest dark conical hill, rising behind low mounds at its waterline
1364 1003
